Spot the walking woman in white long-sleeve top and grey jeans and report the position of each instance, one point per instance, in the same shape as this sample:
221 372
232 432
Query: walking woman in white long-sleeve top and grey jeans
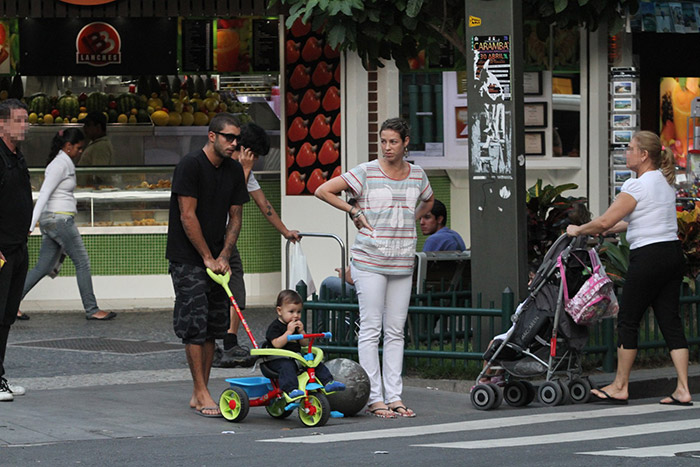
55 210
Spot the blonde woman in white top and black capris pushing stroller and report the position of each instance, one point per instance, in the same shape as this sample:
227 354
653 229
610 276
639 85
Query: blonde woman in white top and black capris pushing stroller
646 209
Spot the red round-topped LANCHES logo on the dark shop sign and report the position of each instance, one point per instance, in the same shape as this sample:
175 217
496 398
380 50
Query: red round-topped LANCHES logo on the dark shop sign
98 44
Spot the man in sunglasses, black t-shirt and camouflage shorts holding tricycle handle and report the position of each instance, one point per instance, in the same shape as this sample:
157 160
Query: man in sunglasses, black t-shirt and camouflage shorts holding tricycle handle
208 187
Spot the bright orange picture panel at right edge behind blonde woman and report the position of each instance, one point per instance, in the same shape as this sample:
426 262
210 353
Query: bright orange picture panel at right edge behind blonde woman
676 97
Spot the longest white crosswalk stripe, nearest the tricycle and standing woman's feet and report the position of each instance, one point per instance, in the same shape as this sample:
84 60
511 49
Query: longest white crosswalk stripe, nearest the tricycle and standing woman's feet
480 424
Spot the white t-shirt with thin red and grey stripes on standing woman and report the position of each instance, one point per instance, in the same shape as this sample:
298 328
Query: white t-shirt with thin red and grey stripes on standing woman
390 208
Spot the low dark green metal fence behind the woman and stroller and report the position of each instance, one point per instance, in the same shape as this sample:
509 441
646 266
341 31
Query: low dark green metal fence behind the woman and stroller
445 327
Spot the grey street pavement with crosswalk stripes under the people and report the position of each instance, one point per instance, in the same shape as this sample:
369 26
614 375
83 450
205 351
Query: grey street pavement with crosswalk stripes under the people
82 404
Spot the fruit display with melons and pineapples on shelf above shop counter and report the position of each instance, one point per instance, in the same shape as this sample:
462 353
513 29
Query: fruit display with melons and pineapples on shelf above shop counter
191 101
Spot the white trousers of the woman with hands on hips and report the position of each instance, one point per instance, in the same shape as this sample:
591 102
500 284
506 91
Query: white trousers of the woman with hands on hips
384 302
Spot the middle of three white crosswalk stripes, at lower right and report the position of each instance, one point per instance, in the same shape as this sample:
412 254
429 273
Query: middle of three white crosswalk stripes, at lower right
574 436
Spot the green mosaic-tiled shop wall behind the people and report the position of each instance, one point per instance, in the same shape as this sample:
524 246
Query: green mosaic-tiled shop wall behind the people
259 242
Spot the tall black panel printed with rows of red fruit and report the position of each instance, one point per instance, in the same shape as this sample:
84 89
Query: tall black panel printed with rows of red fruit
312 73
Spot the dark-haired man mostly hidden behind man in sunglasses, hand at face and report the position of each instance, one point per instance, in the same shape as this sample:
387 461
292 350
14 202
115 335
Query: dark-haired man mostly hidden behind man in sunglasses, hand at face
254 143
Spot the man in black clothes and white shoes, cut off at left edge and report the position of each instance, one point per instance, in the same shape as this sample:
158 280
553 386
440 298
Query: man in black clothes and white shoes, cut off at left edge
15 219
